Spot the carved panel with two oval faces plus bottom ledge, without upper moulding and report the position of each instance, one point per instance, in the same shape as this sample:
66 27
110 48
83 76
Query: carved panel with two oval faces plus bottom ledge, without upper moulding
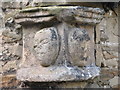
55 48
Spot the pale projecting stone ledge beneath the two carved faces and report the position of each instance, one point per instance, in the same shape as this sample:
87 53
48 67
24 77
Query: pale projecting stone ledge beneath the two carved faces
57 74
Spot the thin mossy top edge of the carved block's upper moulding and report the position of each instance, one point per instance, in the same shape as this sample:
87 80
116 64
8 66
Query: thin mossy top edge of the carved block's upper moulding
86 9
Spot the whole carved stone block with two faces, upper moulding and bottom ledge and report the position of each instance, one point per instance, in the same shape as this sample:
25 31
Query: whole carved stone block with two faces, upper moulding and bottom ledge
62 50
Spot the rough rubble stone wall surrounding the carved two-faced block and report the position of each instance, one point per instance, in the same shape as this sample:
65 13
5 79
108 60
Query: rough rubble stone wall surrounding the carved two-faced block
106 49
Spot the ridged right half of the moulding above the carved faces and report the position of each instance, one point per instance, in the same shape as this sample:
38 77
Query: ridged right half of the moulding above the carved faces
81 15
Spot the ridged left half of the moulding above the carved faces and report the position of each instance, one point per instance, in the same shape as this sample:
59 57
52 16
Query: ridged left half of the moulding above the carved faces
33 15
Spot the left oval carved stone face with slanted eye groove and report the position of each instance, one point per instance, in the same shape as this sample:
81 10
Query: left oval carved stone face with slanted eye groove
46 45
